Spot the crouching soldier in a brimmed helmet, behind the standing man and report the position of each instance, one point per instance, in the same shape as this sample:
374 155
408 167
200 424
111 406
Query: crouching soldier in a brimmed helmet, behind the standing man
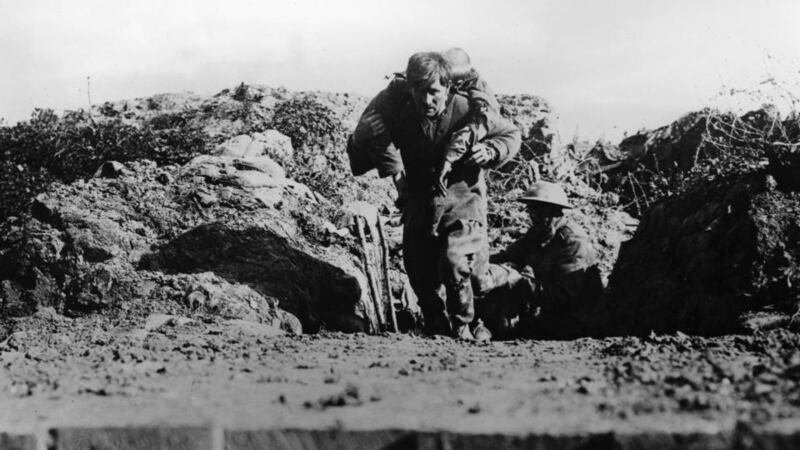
547 283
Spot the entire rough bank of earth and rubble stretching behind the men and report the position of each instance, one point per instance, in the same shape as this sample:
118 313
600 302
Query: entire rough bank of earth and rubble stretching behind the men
269 187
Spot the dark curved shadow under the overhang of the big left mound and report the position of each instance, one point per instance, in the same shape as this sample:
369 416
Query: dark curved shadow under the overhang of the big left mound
314 290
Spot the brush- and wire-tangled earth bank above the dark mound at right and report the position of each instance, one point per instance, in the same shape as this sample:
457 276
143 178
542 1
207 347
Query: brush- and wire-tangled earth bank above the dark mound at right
694 149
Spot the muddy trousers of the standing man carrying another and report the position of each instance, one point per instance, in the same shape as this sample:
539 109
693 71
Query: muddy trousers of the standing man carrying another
443 271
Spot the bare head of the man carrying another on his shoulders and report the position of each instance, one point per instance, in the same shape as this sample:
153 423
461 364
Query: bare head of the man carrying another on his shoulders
429 81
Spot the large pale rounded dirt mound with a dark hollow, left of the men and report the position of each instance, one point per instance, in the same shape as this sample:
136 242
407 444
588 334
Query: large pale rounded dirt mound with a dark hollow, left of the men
220 234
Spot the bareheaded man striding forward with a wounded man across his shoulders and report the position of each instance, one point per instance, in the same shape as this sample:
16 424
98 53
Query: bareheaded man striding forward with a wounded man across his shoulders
407 132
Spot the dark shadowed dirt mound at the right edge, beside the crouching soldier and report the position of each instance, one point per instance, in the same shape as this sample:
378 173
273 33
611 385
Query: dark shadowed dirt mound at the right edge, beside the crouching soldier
716 259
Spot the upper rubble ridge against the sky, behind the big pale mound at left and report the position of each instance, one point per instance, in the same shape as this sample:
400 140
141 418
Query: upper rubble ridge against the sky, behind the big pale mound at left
317 123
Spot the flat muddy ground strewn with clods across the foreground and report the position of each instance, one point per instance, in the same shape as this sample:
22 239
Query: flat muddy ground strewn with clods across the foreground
57 370
